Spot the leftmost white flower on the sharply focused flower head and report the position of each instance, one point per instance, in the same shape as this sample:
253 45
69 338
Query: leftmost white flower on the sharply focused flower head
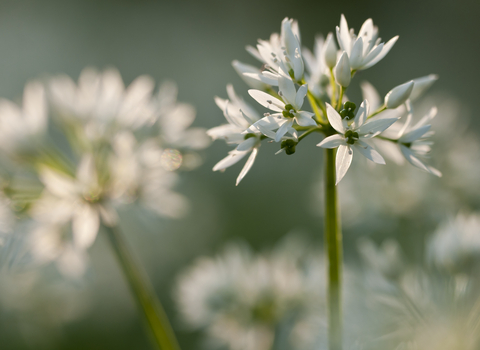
240 116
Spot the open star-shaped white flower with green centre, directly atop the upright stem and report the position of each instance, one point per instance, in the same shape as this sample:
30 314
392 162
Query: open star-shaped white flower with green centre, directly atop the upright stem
352 136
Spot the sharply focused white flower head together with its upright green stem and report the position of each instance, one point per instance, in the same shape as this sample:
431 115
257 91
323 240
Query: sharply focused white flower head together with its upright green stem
292 73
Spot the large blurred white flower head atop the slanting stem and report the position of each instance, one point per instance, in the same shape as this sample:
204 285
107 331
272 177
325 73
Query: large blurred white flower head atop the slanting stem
83 149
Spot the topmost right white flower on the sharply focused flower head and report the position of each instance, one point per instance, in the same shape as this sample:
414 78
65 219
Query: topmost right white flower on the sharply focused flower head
363 50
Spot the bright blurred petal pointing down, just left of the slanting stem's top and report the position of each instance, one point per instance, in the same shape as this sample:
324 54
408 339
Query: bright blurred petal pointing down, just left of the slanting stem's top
85 224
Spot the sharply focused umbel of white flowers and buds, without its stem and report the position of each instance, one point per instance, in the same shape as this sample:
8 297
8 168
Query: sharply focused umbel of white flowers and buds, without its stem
289 73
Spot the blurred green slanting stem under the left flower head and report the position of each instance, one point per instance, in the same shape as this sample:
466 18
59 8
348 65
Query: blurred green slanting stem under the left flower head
143 291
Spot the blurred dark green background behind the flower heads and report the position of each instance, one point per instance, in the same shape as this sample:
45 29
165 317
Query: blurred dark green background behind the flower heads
193 43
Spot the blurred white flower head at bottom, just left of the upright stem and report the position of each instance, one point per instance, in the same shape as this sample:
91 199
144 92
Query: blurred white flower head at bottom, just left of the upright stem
248 301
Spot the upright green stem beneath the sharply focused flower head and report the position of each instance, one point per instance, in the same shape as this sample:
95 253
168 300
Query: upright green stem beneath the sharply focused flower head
333 245
